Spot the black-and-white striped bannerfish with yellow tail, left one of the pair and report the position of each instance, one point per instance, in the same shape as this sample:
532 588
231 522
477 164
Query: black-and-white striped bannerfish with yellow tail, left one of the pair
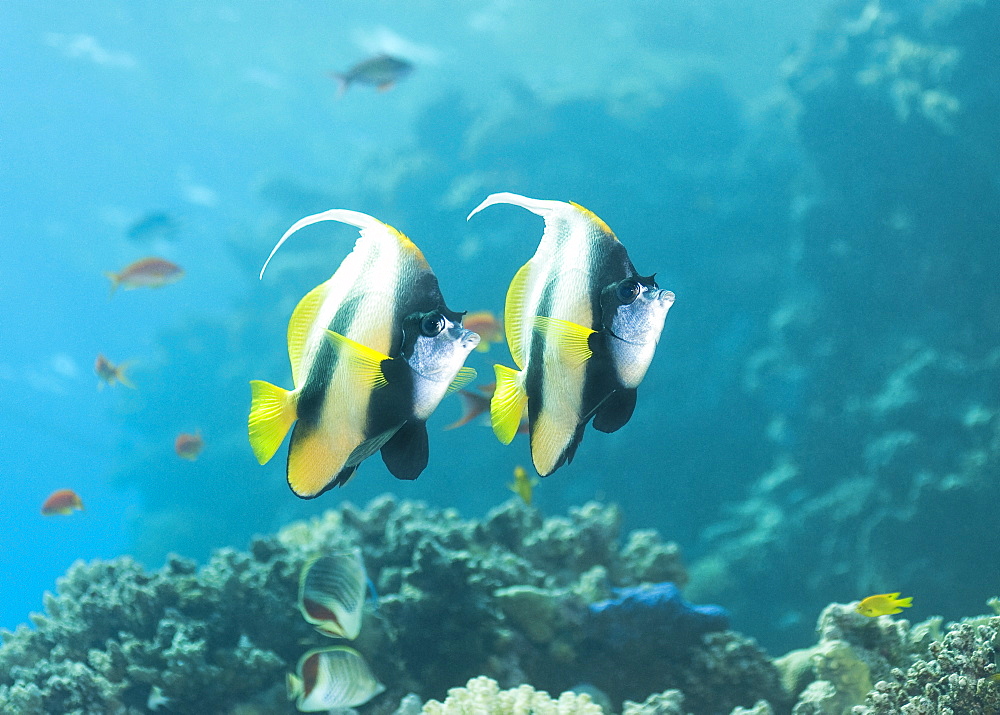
373 351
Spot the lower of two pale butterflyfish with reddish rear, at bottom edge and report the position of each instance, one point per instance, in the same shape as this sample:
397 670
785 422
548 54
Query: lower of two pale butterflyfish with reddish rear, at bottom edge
328 678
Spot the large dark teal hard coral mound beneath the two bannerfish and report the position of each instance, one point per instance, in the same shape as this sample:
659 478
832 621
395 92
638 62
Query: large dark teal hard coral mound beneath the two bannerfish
506 597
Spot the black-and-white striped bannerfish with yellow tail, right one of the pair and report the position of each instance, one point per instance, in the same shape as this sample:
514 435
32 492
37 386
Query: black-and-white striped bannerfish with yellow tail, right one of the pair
582 326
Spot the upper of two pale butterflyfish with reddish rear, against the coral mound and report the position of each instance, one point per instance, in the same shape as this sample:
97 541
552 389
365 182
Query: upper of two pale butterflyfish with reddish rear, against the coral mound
332 593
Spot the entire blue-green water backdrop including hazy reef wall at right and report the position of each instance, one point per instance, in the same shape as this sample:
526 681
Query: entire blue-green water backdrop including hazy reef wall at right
818 183
